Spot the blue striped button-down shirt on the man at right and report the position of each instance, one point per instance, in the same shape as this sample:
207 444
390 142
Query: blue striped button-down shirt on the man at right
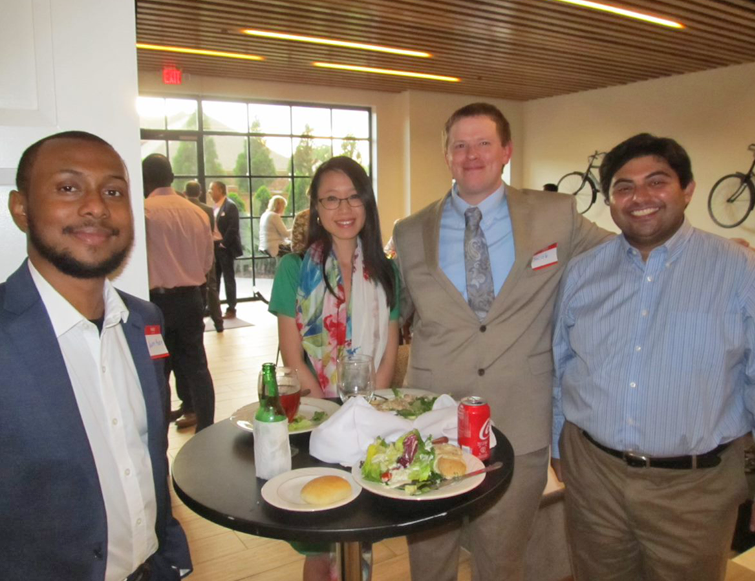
657 357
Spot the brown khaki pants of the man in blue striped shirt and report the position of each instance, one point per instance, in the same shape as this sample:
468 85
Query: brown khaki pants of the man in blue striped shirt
648 524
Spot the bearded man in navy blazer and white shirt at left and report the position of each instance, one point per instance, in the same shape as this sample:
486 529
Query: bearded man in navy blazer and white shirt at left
83 441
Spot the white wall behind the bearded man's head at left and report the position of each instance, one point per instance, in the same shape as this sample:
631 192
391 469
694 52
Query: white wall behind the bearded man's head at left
69 64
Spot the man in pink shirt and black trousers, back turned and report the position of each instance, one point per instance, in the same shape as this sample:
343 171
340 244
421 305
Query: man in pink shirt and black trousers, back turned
179 252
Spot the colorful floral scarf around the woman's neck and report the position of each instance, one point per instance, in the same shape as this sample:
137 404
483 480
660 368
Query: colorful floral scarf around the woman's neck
328 326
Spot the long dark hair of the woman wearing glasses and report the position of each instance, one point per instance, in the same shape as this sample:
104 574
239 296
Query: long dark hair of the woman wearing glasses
376 264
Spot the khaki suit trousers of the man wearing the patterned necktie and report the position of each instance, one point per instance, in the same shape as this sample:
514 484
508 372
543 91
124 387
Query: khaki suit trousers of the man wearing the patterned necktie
497 538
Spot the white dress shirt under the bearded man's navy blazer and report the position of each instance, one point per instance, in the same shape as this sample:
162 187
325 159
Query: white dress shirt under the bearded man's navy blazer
111 404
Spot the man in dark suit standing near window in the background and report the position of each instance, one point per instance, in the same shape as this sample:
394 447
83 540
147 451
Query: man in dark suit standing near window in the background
227 243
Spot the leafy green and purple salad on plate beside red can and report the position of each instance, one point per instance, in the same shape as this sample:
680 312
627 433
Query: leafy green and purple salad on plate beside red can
409 462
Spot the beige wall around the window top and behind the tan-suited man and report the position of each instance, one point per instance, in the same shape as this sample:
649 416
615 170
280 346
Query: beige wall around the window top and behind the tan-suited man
410 168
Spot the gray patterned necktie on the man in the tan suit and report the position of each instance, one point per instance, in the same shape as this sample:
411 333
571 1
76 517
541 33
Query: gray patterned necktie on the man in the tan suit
480 291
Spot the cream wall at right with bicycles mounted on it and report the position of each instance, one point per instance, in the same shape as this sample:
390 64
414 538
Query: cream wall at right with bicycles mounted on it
711 114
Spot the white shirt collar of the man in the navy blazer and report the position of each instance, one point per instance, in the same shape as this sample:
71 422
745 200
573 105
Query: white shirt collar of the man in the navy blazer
62 313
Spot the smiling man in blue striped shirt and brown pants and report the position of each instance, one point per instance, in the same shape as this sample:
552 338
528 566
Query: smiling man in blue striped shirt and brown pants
654 370
